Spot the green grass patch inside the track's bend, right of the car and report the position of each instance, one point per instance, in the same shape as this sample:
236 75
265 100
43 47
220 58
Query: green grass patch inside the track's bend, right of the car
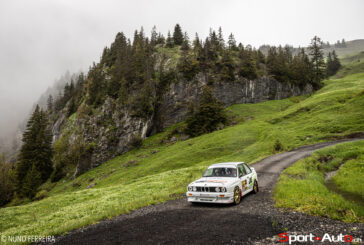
302 186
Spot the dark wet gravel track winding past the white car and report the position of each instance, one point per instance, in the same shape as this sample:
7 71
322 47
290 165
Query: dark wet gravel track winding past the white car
254 221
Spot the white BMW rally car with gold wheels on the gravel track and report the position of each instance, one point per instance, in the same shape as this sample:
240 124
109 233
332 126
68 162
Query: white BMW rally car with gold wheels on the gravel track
223 183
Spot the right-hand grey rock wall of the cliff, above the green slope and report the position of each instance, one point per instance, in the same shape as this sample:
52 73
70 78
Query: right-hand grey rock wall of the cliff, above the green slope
177 99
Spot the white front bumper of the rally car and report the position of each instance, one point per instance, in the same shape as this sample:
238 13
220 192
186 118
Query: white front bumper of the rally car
221 197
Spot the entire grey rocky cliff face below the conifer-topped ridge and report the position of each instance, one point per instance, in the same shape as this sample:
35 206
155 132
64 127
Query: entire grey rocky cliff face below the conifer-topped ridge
112 130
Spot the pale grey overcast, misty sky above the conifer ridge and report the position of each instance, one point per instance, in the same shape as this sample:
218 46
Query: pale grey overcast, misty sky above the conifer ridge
41 39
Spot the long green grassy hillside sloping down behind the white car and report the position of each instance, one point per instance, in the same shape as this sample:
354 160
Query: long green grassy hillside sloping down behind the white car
160 171
